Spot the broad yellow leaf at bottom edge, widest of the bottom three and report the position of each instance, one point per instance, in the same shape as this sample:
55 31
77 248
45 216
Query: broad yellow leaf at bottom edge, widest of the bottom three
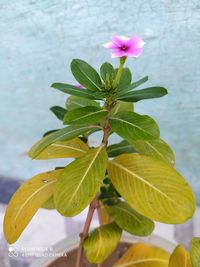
143 255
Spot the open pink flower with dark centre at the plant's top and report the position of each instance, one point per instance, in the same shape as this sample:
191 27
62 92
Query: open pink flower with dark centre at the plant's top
121 46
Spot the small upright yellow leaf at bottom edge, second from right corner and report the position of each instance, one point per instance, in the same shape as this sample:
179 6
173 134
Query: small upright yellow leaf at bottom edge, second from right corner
180 258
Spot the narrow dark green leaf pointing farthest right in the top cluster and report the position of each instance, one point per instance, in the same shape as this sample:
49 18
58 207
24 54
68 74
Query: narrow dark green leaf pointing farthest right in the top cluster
147 93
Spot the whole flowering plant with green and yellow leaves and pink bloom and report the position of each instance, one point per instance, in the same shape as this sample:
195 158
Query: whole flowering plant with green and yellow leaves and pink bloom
131 184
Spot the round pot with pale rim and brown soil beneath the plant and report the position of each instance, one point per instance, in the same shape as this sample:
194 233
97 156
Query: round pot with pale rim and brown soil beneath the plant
69 247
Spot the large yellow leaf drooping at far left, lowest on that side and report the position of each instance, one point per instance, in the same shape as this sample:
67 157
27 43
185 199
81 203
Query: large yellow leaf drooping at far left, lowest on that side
26 201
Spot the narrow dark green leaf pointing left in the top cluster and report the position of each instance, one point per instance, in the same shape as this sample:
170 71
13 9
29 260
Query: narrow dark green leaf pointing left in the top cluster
73 90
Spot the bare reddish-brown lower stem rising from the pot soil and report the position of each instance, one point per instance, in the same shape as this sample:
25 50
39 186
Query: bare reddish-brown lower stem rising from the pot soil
84 234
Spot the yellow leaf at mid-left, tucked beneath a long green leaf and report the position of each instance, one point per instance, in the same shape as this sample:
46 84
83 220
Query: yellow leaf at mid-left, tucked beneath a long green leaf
63 149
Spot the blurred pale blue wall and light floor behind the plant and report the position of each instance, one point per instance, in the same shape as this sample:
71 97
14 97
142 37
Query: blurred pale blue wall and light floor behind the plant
38 41
